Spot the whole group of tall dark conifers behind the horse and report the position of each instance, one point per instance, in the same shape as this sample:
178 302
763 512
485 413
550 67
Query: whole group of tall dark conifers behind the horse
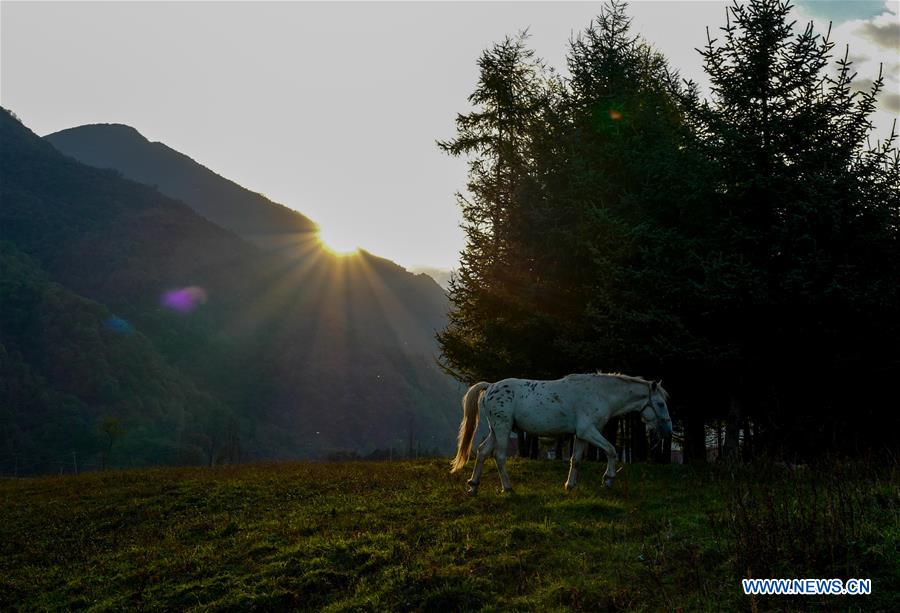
742 245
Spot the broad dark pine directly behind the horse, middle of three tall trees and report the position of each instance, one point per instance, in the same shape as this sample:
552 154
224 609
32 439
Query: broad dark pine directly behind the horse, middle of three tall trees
627 197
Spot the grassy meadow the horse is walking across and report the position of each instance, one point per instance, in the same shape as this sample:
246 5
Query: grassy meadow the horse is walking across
405 536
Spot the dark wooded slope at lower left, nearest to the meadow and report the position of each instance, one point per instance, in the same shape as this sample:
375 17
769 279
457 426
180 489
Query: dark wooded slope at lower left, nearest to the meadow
67 364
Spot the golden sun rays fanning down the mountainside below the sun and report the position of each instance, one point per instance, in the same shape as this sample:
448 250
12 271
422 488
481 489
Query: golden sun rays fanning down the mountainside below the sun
321 302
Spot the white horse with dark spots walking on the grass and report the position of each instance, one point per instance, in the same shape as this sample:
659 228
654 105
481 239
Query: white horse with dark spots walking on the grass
576 404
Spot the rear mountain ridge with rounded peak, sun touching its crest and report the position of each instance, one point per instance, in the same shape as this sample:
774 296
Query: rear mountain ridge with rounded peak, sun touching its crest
418 304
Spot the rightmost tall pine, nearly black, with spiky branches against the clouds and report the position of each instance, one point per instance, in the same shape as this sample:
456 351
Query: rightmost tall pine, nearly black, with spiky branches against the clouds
798 242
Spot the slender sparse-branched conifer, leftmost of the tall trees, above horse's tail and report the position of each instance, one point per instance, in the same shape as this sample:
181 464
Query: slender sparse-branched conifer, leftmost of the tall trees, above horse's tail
481 340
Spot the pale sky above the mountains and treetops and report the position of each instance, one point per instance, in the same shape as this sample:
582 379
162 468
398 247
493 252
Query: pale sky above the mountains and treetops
334 108
